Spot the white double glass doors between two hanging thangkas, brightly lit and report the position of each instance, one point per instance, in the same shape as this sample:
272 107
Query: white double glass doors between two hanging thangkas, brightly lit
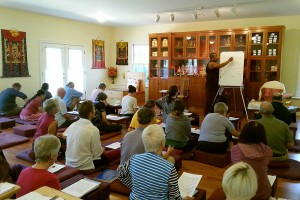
62 63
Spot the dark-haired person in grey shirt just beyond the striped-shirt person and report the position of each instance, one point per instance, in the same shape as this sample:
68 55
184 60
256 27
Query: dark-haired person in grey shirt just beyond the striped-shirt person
132 142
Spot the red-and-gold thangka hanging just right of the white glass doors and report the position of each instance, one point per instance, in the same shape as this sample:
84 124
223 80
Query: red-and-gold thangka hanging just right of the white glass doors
98 55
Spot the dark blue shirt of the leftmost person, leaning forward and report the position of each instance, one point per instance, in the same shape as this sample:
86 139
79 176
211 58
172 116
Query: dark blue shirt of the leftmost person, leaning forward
8 99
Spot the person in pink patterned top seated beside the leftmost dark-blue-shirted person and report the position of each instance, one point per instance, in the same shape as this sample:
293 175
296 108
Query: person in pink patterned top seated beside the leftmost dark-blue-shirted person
33 108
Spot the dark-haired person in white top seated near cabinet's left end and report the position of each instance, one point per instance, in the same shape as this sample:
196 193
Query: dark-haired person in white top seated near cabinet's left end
129 102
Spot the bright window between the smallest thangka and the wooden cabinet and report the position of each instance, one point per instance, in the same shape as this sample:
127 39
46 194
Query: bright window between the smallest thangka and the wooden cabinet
141 60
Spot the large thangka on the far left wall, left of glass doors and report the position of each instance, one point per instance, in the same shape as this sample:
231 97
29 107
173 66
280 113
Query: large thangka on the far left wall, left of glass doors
14 54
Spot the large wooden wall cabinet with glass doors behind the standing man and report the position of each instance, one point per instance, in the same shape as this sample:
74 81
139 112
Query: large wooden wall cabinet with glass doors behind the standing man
187 55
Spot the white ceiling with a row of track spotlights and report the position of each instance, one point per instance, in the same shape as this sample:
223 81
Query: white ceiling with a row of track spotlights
118 13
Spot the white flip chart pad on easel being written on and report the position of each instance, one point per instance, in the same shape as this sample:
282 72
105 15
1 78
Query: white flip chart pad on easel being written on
232 73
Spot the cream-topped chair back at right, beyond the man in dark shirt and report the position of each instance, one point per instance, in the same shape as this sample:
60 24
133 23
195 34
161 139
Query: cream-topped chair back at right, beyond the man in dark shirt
266 91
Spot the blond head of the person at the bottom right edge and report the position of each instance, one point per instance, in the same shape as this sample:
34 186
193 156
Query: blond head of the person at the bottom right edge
239 182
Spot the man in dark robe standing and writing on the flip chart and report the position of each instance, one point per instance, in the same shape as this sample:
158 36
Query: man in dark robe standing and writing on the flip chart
212 79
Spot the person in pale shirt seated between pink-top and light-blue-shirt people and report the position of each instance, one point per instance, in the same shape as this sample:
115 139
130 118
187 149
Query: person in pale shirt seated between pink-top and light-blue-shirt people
62 117
